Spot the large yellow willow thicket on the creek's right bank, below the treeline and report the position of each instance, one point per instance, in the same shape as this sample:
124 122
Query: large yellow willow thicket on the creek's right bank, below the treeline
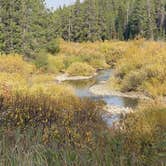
143 68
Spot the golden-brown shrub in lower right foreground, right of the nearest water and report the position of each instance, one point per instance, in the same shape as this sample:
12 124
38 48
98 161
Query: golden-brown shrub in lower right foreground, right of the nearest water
144 127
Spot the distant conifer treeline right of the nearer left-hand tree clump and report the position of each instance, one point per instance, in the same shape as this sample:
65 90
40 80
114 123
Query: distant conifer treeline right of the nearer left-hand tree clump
112 19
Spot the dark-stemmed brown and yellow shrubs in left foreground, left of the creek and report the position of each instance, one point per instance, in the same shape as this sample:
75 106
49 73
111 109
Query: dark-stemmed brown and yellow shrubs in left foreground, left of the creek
57 112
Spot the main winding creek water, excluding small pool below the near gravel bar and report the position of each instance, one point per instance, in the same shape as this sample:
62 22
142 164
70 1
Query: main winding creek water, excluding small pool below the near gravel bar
82 90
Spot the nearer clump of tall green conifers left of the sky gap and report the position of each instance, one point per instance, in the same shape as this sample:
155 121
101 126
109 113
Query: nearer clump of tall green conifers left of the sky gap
25 26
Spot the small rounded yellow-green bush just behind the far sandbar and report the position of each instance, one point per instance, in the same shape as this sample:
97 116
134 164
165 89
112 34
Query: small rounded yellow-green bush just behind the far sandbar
80 69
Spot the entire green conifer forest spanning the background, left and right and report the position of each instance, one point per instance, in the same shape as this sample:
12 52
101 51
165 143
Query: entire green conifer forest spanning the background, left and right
27 26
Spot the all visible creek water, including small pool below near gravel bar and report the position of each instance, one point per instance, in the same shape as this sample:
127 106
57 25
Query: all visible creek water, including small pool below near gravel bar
82 90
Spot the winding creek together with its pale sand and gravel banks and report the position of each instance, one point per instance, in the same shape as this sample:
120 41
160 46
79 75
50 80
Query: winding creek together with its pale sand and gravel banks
116 103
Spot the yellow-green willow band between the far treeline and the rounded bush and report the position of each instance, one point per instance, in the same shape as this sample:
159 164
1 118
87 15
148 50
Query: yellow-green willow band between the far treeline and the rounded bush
99 55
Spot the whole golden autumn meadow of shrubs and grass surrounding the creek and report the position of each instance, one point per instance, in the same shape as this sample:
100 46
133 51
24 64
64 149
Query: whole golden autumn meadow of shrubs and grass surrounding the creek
44 123
